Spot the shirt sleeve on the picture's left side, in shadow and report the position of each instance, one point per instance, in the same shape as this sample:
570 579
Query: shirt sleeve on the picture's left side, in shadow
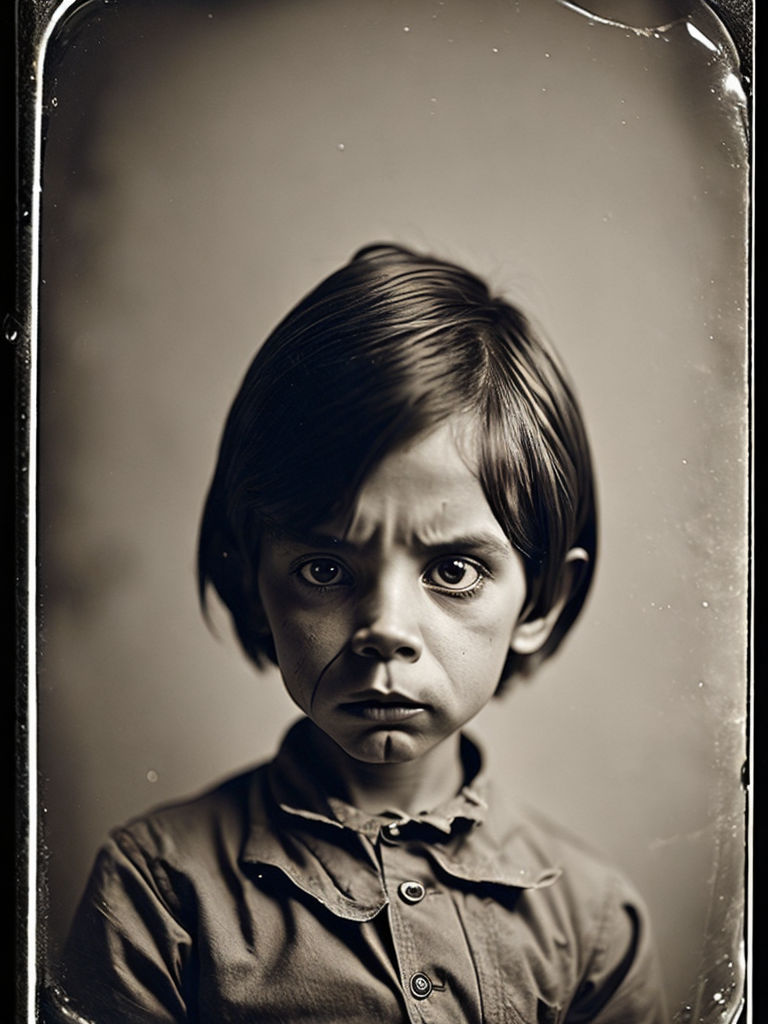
129 954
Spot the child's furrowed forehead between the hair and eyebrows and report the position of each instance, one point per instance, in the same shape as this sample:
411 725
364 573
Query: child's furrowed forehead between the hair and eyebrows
424 492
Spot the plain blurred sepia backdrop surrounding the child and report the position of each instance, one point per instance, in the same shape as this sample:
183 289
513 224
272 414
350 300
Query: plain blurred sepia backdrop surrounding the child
205 166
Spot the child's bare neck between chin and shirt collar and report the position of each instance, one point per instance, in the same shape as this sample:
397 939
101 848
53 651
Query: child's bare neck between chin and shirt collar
410 787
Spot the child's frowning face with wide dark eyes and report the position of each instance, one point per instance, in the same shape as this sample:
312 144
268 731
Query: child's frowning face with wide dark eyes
393 624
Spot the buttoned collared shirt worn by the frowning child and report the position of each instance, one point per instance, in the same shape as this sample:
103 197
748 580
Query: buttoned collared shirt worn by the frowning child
269 901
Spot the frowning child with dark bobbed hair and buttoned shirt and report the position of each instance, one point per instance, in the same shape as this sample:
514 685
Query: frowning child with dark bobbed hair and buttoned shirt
403 519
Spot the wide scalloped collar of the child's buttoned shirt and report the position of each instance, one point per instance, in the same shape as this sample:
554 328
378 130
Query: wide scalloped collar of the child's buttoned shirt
319 841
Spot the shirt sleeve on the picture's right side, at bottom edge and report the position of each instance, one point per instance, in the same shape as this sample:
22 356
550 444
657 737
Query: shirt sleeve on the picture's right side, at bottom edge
622 985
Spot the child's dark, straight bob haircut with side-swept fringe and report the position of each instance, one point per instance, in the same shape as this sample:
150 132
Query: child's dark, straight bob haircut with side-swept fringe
383 351
